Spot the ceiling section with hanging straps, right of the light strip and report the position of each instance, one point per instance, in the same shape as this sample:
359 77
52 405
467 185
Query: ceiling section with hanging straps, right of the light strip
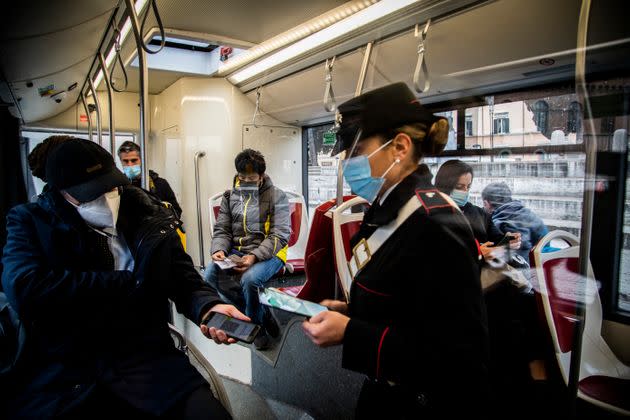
488 48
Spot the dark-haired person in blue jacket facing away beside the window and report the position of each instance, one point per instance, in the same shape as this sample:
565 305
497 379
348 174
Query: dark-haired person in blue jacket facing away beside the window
512 216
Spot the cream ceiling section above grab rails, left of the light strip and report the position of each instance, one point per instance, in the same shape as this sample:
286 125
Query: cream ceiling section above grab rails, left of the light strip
54 42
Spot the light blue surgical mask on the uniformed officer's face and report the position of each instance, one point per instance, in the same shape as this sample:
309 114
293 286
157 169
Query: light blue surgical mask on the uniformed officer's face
358 175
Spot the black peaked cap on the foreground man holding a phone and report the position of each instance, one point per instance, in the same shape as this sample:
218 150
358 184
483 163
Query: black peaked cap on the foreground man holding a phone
83 169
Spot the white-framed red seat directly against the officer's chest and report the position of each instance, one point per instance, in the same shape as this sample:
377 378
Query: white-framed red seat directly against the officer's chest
345 225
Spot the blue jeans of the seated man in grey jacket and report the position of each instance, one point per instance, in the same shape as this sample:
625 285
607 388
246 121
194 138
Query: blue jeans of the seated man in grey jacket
256 276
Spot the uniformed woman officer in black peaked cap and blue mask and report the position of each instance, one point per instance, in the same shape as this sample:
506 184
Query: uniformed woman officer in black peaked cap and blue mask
415 323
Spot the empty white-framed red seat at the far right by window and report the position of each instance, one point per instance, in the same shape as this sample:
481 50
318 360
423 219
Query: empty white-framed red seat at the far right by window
604 380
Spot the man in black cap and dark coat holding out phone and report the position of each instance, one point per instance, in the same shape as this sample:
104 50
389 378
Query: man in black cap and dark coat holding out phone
89 268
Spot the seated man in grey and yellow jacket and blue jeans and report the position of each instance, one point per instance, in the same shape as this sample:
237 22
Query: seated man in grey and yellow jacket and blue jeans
253 224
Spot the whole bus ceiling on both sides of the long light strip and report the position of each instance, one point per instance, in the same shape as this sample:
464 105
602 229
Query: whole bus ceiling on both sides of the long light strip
497 44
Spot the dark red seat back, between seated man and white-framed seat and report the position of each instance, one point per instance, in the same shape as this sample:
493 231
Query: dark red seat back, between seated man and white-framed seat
319 260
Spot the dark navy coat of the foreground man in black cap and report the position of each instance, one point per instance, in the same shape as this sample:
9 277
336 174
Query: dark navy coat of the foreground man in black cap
88 326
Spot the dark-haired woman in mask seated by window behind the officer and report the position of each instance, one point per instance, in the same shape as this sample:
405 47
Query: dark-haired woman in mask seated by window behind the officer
455 179
